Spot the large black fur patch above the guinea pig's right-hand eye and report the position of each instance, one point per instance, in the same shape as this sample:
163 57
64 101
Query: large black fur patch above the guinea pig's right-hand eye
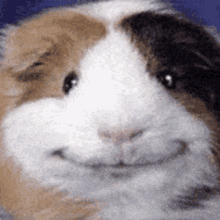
186 50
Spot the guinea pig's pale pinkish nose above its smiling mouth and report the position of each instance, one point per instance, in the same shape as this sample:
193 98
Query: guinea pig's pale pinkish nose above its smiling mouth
119 136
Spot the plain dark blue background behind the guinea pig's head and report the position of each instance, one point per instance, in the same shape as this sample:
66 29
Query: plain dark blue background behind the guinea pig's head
205 12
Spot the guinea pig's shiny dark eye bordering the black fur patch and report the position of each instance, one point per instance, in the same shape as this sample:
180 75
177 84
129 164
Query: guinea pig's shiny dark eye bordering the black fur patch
167 78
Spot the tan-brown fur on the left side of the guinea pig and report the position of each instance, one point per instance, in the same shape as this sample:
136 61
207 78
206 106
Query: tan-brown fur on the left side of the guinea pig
68 35
